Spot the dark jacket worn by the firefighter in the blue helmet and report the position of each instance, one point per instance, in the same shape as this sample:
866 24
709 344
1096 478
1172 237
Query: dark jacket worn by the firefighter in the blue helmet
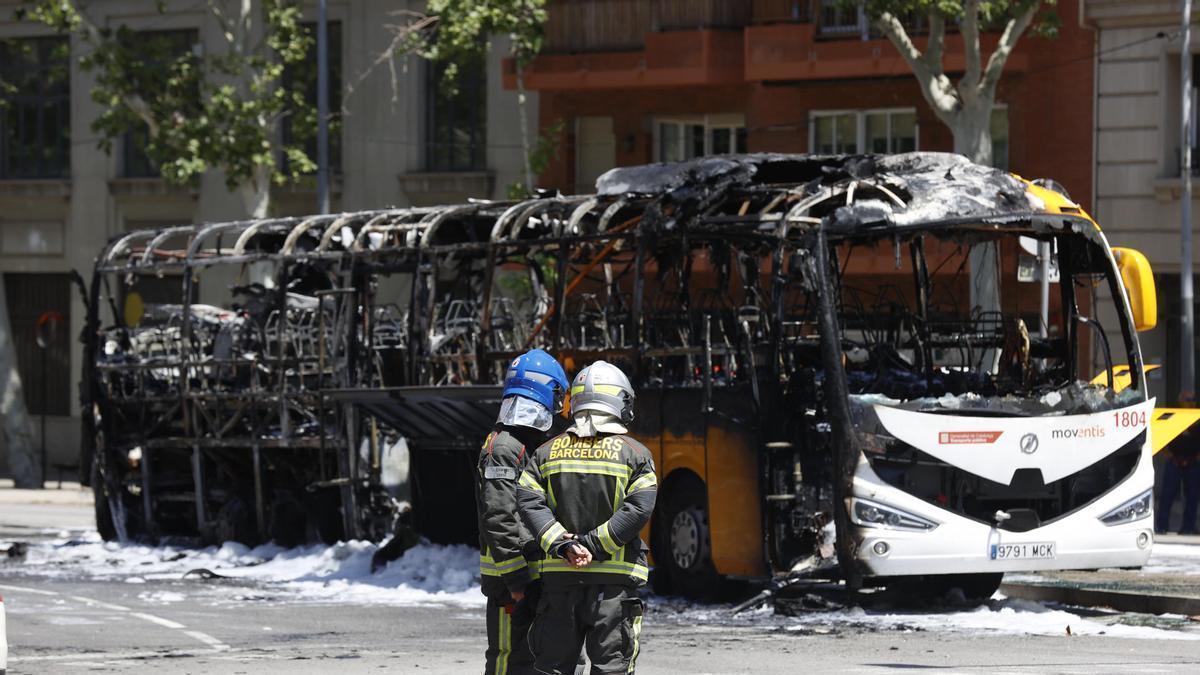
505 541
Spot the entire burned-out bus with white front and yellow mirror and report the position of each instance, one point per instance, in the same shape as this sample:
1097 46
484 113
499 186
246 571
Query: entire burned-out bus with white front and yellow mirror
837 359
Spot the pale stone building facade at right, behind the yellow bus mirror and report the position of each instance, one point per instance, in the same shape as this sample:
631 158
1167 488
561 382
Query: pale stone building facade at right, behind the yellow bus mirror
1138 140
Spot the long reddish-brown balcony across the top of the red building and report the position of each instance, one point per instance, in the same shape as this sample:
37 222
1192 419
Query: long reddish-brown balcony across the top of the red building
595 45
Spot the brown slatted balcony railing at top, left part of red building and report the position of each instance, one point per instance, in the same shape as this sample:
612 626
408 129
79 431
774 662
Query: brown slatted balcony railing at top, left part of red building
621 26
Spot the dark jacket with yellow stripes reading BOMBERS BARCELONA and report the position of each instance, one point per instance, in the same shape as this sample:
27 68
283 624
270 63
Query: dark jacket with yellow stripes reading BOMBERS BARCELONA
602 489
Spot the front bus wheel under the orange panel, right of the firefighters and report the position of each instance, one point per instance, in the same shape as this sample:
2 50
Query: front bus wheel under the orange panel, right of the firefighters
685 547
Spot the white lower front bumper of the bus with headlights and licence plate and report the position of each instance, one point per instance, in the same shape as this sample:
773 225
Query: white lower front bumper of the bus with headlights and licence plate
961 546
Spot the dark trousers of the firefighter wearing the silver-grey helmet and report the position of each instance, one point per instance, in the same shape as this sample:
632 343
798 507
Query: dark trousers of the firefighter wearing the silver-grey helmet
607 620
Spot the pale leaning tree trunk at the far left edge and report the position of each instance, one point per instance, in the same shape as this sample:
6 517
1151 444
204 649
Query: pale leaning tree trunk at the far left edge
25 463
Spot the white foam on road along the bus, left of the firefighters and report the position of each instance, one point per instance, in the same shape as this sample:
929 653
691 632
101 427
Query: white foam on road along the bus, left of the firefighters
425 575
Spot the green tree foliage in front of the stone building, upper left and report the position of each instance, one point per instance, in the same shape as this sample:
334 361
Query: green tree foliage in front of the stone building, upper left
200 111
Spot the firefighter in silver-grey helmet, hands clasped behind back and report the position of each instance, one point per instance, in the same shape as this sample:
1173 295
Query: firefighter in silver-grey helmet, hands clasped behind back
586 495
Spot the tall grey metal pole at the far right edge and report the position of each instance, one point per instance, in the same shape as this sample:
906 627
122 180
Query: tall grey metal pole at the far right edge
1187 327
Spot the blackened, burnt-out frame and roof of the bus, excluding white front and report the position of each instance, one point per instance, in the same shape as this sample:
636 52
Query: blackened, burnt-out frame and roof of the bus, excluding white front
272 379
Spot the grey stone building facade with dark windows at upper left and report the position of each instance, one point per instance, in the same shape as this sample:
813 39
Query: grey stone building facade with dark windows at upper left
403 141
